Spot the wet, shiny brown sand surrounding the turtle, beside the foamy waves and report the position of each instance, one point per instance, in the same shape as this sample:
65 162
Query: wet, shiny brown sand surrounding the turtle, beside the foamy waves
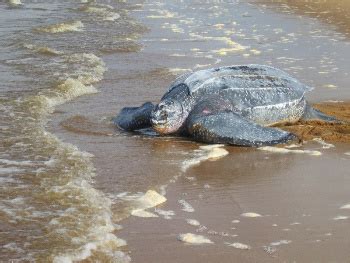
298 194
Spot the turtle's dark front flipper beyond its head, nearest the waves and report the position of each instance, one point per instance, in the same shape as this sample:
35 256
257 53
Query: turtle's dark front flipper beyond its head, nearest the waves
135 118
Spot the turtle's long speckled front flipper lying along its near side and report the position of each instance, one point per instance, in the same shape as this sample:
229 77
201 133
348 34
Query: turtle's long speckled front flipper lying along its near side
230 128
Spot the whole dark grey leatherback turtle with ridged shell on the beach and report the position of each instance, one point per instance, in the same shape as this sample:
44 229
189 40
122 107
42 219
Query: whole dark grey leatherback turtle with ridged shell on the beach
230 105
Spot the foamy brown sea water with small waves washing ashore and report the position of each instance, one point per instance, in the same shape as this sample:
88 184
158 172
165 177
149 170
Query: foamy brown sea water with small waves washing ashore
50 210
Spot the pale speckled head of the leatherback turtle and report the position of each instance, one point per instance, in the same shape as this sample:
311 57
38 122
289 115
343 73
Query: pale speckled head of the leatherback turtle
167 117
